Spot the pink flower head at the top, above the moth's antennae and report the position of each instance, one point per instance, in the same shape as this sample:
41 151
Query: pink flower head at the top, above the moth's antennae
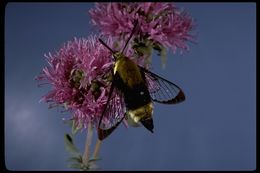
160 23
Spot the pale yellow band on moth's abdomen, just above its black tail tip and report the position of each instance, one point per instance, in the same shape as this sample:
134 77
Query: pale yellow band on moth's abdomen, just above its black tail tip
141 113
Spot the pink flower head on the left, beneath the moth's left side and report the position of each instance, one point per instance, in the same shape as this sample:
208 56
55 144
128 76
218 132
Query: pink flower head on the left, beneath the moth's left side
78 76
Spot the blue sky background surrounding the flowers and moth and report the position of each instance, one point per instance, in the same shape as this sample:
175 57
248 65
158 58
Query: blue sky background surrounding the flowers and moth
214 129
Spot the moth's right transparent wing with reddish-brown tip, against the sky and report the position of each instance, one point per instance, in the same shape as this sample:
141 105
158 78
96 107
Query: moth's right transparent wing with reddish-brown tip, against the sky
162 90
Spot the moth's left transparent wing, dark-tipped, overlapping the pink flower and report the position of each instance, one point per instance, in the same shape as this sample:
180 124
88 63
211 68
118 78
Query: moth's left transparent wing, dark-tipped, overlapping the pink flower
113 113
